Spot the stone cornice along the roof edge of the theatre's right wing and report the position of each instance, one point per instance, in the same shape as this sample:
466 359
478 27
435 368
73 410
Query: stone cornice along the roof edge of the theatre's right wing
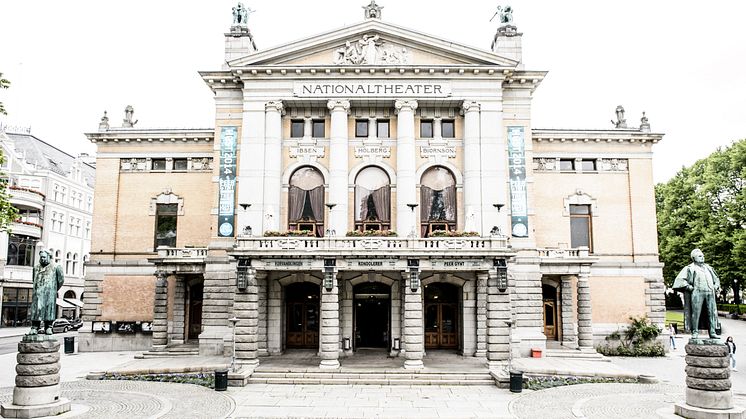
597 136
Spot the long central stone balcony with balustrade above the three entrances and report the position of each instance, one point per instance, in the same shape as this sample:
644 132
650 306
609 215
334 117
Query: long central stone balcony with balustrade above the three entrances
372 247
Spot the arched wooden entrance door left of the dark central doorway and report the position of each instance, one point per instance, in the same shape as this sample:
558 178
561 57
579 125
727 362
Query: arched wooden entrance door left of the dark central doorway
302 301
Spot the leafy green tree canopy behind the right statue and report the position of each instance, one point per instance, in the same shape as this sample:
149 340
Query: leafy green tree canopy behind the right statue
704 206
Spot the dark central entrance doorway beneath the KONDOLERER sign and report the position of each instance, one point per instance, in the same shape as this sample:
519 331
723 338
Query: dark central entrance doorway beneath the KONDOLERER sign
372 308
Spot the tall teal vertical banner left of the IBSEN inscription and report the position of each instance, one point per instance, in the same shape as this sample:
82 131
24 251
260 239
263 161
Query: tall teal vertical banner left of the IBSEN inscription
227 182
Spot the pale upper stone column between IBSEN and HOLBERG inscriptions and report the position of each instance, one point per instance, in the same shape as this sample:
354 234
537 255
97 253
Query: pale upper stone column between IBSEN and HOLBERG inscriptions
338 165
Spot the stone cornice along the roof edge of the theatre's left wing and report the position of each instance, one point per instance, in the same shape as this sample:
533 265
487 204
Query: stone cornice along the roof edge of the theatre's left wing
152 135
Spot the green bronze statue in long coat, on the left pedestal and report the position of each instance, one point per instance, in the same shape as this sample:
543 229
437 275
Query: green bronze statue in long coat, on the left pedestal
48 278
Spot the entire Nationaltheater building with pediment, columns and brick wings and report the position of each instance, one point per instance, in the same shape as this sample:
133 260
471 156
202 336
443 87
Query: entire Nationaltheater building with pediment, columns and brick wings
371 187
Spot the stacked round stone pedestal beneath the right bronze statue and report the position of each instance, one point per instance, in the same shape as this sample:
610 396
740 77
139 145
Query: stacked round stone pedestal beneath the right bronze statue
708 393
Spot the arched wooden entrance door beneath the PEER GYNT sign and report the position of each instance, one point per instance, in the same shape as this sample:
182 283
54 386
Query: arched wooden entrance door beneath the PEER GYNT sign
441 316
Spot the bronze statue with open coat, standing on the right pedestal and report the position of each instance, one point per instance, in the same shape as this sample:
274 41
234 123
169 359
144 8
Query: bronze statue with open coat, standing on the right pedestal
700 284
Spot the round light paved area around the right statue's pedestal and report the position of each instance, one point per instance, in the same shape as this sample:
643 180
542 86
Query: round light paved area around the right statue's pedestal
602 401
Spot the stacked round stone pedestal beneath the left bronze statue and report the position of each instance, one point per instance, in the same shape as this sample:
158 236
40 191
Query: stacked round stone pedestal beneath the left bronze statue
37 391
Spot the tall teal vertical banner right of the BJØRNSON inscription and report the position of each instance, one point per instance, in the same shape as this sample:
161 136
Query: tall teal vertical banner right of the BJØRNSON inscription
518 195
